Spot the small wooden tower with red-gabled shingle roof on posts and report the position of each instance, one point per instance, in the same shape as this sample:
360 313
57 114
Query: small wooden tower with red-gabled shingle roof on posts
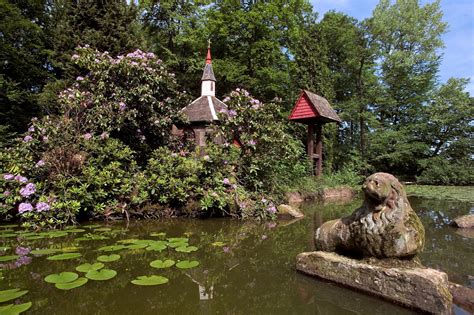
314 111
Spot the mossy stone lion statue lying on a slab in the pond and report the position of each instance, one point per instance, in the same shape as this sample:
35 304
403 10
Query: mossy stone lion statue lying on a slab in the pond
385 226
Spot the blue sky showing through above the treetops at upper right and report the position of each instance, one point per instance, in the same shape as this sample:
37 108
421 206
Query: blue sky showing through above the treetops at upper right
458 59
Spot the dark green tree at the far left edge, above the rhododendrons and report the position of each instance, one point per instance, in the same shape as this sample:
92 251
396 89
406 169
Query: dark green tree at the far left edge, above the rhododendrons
23 63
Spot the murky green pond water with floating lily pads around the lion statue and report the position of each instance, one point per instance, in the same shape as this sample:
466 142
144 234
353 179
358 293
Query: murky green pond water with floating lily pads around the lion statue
240 268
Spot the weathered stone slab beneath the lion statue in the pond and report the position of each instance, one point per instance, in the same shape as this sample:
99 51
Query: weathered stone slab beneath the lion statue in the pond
400 282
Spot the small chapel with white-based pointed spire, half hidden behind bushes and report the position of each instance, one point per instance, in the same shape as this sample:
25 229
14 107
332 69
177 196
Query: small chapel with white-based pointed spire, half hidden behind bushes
203 110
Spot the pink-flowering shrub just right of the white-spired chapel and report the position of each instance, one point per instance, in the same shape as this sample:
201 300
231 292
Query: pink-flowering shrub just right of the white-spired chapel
269 157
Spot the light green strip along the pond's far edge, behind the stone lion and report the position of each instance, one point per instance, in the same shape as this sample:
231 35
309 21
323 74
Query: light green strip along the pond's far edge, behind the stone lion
461 193
